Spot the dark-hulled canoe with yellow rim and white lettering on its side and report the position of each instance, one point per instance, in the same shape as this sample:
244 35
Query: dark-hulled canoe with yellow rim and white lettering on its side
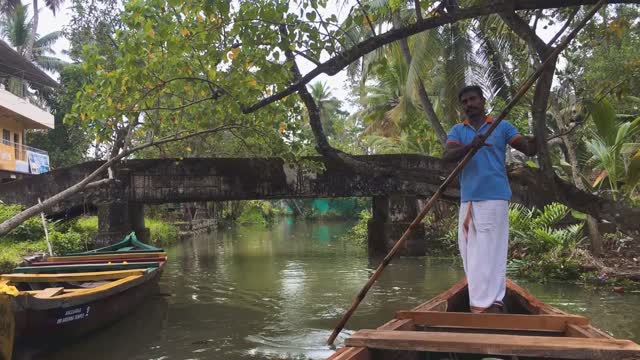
44 309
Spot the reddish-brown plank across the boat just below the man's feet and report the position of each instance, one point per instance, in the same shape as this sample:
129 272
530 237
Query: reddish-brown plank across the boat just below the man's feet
493 321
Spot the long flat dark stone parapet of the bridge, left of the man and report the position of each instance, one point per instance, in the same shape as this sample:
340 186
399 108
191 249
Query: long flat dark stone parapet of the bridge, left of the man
157 181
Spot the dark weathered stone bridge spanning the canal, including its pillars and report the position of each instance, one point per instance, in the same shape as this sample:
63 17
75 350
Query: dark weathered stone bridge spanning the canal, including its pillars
154 181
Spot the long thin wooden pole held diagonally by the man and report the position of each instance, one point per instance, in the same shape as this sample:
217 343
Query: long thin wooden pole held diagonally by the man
416 222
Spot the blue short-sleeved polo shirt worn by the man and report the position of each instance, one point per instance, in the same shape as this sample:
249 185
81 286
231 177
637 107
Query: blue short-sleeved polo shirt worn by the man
485 175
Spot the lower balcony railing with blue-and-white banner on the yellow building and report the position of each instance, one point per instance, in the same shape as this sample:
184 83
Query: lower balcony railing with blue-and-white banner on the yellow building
22 158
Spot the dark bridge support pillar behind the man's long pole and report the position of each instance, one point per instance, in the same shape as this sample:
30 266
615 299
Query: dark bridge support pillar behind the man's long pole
392 215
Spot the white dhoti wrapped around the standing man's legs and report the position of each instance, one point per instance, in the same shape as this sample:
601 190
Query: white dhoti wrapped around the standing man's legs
483 238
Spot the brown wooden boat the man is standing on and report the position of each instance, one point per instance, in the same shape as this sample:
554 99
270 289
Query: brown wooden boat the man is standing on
443 328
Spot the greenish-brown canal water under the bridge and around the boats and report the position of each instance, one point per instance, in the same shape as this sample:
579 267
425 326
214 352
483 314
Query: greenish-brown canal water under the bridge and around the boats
277 293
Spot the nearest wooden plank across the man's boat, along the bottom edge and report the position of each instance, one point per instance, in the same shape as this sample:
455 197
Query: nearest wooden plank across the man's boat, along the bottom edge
509 345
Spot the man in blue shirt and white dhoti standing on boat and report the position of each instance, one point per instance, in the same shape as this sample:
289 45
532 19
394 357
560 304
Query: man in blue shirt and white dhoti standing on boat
483 223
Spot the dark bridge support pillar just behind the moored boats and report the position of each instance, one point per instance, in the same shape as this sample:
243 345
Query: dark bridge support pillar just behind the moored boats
118 218
